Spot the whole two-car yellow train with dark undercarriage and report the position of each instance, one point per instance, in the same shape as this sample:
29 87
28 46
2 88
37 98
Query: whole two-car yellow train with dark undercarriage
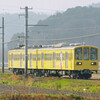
76 61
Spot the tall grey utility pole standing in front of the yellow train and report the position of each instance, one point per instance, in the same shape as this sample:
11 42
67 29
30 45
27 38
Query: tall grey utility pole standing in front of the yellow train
26 40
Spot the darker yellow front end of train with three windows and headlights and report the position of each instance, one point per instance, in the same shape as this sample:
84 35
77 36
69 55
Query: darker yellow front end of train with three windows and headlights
86 60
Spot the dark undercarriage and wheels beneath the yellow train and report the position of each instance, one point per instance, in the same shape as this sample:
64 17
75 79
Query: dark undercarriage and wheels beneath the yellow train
76 74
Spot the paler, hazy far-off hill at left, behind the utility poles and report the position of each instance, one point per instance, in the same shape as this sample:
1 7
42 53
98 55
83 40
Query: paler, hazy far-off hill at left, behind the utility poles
15 23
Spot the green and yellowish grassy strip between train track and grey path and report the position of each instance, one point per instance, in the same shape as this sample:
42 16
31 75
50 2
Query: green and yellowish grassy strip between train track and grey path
52 83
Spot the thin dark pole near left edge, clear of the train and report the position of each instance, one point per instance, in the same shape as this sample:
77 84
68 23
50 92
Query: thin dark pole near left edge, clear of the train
2 44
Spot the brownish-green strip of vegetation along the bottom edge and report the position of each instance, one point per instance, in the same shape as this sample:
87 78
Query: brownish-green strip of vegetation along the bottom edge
43 97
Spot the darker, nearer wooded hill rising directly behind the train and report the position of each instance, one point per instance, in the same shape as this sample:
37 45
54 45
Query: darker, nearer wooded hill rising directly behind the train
74 22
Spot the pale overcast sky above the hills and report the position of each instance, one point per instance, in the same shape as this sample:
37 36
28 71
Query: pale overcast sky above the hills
45 6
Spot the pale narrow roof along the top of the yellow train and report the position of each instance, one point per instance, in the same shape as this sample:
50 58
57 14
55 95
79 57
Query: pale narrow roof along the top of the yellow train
52 48
